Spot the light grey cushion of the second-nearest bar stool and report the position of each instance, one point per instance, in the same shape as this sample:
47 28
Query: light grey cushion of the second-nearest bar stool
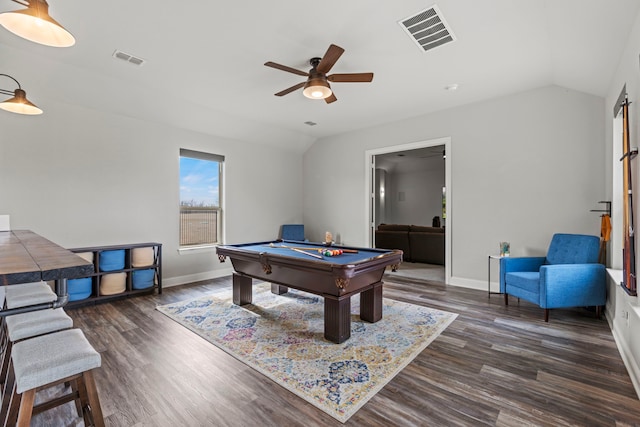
28 325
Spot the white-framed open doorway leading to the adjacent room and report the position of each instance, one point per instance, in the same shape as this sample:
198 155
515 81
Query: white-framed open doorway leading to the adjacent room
381 190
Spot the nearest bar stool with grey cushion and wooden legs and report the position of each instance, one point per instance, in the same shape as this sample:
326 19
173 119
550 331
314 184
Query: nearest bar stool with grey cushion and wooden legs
47 360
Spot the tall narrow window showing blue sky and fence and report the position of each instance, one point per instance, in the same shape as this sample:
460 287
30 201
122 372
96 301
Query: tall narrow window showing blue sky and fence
200 206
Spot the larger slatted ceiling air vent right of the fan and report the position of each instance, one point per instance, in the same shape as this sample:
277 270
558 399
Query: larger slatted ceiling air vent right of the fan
428 28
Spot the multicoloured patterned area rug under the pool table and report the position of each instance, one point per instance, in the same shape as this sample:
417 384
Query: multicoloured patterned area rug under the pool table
282 336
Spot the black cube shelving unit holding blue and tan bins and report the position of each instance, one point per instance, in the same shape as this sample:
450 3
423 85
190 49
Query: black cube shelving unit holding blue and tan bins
153 261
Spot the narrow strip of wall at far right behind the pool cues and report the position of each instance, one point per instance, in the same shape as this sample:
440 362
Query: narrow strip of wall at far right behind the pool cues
623 311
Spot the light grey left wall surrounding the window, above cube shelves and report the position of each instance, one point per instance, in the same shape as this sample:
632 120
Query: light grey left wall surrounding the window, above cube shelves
85 178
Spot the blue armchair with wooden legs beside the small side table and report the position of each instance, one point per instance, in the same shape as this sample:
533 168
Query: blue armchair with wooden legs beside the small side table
569 276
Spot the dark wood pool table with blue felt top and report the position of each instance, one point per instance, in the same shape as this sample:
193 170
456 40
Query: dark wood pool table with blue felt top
299 265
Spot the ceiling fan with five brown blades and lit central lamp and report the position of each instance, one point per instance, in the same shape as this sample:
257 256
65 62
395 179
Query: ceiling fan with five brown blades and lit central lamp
317 84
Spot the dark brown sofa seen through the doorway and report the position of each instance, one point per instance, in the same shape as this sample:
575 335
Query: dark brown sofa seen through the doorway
418 243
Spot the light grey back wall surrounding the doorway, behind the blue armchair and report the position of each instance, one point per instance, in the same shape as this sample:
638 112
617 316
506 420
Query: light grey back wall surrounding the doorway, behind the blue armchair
523 167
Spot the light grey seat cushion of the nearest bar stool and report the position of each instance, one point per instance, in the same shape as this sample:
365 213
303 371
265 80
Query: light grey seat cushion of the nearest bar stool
48 358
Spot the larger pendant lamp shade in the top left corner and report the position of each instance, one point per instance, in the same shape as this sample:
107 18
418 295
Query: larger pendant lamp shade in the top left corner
35 24
